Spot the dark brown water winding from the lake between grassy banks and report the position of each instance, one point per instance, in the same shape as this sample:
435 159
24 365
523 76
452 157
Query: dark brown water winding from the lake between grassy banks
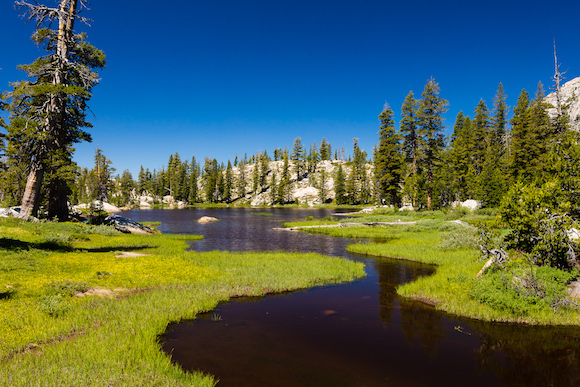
358 334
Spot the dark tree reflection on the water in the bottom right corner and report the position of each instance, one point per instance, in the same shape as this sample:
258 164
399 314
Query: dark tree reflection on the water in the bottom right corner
530 356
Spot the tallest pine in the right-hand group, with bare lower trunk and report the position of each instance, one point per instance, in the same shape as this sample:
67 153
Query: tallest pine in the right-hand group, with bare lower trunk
430 118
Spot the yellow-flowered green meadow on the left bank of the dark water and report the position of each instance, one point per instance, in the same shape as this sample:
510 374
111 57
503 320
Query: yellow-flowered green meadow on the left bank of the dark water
51 337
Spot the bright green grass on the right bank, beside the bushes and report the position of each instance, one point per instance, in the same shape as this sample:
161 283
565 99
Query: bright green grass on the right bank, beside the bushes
453 288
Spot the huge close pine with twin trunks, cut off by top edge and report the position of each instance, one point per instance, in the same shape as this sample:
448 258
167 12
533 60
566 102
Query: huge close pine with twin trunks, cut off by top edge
53 103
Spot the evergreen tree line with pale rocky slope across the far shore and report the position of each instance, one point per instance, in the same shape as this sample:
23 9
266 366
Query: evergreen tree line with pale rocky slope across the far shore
414 164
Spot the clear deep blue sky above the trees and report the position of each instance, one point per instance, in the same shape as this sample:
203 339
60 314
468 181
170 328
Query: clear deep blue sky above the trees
223 77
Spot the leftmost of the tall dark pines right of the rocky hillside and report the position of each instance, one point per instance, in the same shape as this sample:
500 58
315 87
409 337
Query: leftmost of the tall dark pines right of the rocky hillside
388 159
